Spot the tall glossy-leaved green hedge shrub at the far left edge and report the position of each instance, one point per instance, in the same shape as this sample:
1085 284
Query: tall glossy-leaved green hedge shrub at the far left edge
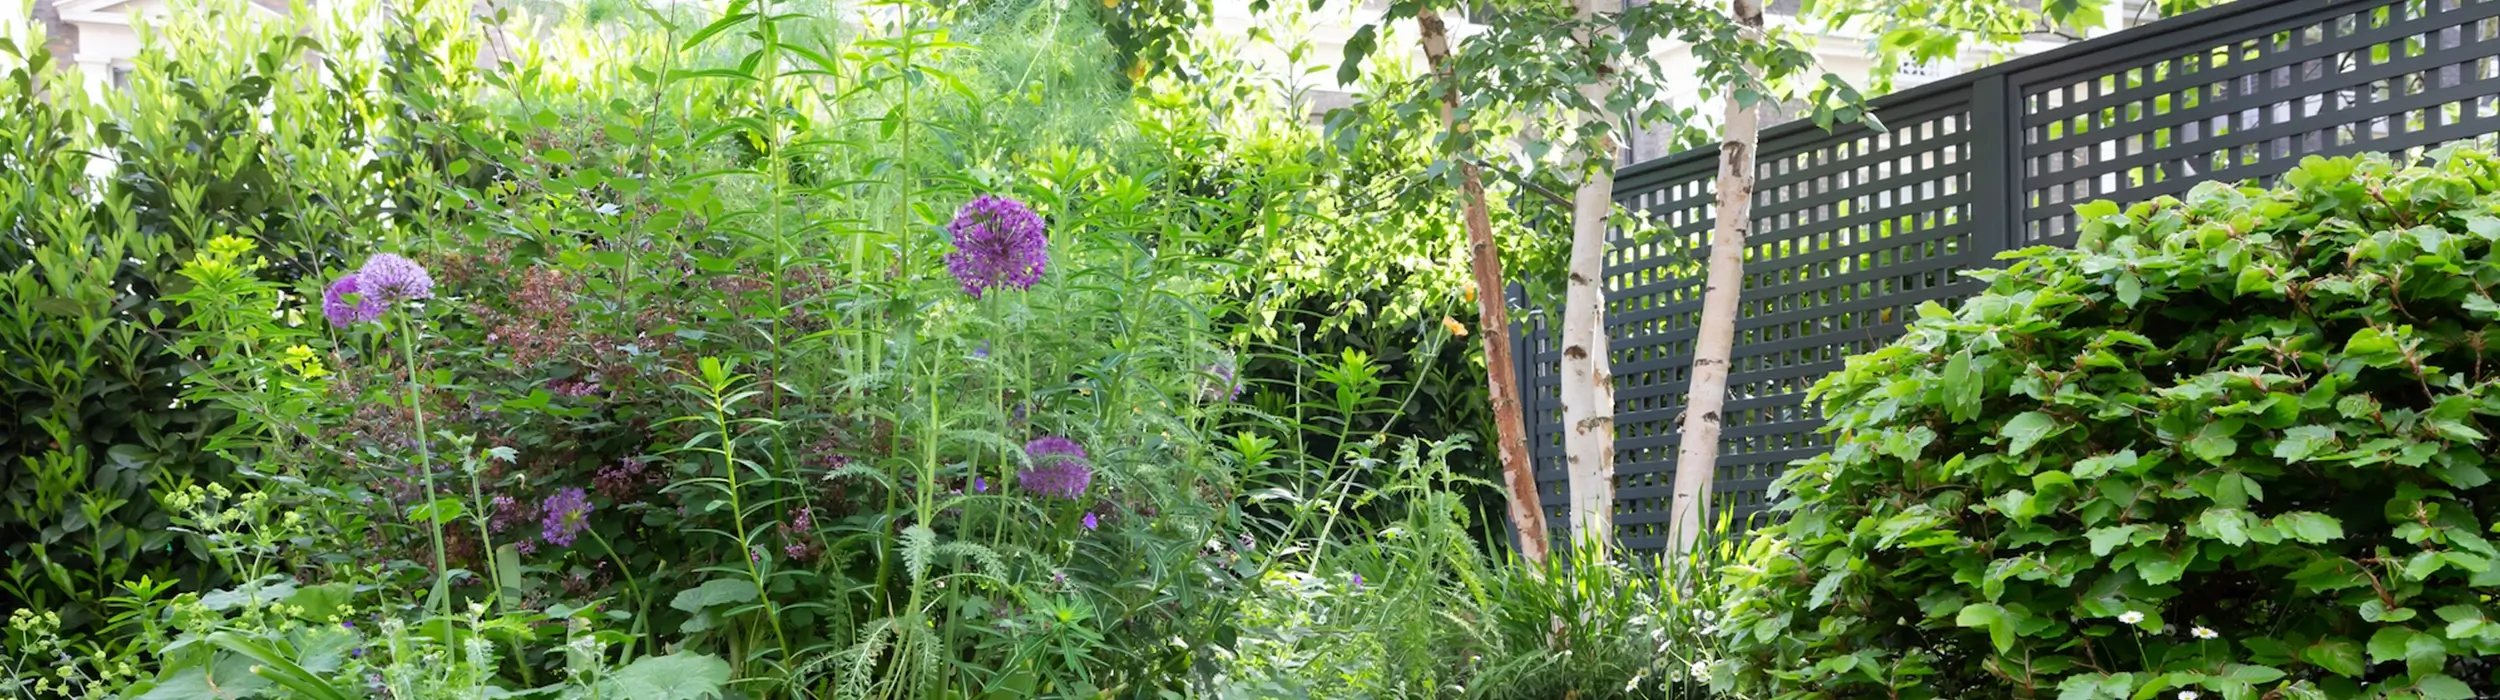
219 134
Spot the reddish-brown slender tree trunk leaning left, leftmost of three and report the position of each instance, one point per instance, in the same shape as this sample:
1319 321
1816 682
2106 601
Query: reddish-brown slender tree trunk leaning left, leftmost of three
1494 319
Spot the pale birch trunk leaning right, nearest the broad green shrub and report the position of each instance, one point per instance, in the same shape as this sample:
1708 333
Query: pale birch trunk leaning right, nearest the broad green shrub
1696 461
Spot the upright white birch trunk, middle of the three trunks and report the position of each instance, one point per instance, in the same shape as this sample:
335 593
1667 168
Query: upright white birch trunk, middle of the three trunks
1589 381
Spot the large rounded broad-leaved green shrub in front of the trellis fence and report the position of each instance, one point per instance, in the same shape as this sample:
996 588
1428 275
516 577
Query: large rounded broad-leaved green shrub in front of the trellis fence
2234 446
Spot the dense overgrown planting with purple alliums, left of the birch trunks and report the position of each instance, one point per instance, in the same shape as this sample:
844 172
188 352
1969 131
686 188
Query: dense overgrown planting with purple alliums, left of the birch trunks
804 351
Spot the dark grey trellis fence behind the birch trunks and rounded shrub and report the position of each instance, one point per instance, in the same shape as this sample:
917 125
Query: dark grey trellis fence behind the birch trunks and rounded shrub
1856 229
